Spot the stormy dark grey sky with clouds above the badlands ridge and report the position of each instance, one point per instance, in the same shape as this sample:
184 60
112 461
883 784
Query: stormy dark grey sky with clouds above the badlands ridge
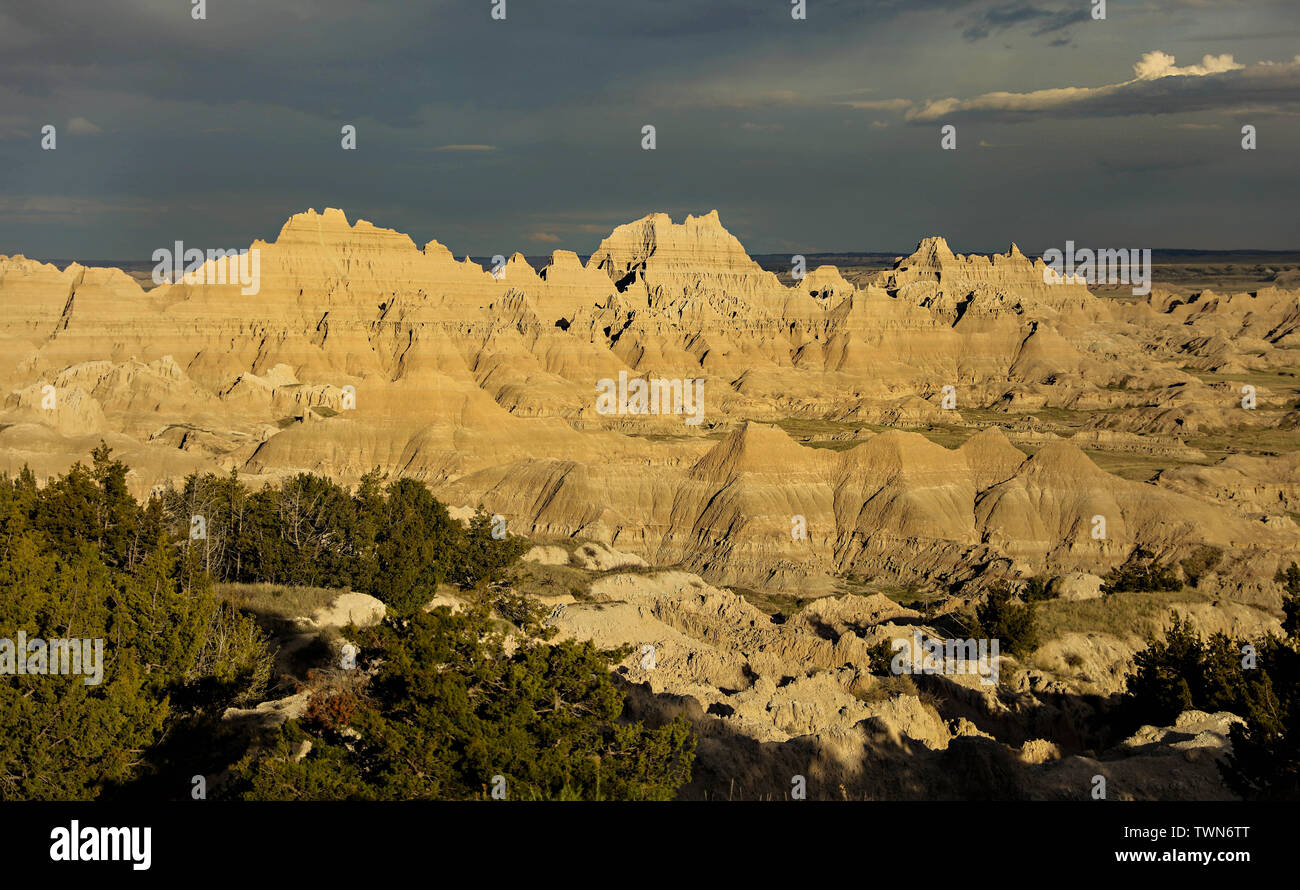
526 134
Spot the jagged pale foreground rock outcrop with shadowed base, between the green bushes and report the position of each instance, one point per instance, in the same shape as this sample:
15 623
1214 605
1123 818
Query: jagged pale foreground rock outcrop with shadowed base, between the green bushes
799 698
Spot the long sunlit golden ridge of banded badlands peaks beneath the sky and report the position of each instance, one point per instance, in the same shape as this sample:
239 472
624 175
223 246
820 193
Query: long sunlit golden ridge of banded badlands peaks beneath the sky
362 350
